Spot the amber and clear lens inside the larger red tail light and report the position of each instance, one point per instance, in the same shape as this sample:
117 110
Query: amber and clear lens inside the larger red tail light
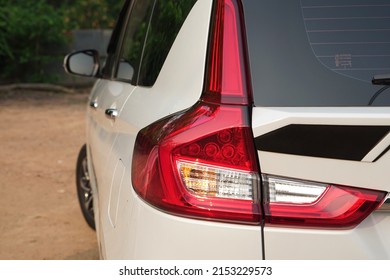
209 181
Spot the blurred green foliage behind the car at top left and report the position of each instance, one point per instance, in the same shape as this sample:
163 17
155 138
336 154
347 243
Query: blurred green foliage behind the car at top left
33 31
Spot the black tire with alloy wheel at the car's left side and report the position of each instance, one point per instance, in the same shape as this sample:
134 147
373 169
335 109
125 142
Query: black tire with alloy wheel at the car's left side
84 190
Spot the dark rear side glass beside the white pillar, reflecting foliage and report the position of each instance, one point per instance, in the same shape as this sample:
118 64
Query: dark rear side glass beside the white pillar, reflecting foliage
150 33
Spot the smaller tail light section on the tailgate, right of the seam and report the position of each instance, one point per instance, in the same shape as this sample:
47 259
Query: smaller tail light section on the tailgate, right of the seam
298 203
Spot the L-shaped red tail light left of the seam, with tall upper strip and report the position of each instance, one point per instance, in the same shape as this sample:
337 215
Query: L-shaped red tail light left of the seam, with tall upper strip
201 162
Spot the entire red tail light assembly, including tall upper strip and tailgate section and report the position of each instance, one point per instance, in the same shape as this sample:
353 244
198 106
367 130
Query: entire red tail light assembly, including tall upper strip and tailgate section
201 162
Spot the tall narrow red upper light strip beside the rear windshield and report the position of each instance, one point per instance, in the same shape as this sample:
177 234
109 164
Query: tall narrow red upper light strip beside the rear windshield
226 75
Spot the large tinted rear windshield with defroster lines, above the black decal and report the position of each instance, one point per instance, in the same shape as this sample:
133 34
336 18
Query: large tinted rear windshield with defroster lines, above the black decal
318 52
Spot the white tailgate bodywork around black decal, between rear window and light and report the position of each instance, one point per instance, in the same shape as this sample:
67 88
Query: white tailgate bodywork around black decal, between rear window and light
365 173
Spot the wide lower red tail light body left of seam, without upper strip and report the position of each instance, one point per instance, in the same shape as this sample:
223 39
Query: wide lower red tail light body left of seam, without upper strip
200 163
